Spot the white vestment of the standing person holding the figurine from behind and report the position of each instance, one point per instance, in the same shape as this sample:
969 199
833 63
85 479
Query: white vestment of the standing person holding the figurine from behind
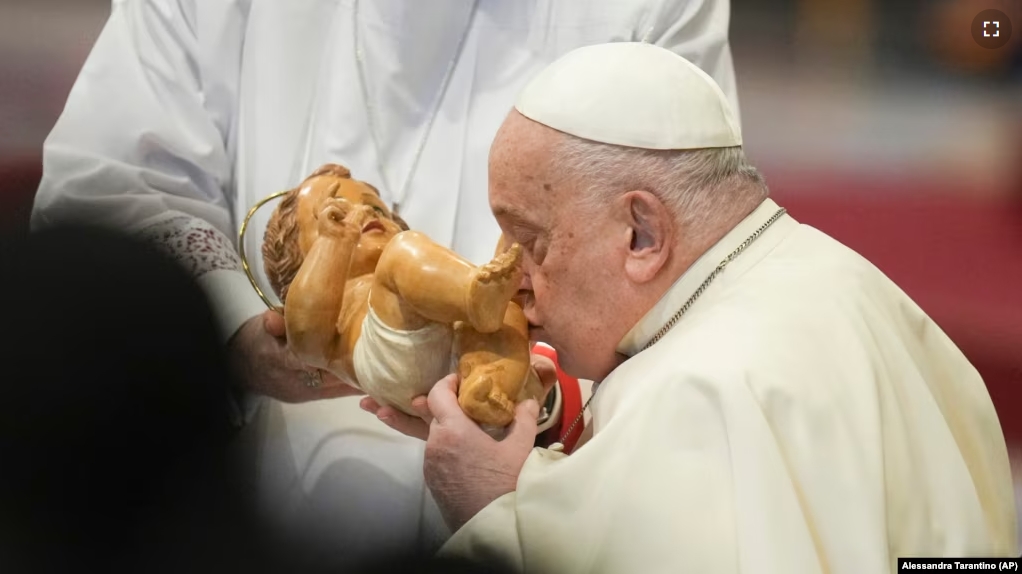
190 112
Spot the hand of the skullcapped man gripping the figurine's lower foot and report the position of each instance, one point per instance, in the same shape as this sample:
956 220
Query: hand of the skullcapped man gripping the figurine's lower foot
467 469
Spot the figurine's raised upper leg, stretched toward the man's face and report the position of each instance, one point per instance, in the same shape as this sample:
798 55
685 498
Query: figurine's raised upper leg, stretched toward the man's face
417 281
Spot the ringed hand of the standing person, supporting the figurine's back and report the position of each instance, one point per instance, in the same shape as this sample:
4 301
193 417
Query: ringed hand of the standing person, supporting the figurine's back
260 355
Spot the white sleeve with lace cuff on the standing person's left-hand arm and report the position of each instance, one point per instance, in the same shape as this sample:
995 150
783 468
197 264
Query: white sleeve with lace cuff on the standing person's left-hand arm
145 142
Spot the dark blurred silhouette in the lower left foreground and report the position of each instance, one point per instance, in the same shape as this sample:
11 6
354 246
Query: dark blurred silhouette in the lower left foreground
115 435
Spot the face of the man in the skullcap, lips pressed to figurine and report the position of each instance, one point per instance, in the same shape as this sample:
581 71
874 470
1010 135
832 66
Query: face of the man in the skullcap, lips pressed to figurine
570 264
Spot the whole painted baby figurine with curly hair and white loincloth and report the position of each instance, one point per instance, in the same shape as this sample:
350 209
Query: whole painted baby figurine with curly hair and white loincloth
390 312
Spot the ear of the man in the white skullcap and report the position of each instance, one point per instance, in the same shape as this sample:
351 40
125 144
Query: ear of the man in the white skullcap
653 229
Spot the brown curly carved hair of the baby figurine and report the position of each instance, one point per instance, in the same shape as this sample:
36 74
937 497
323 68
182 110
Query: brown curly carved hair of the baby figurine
283 256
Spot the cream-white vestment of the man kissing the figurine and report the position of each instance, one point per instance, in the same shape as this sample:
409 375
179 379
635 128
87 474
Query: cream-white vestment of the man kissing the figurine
804 417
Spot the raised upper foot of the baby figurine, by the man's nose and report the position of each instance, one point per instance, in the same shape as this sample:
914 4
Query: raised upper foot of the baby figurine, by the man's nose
493 286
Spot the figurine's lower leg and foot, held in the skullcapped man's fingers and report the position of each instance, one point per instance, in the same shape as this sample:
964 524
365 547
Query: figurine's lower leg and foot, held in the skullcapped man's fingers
495 372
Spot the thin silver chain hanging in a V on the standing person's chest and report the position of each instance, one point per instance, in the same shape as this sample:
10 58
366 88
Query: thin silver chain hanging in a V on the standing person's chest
399 196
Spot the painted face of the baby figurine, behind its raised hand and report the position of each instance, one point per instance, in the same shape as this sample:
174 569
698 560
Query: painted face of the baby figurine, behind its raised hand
377 232
